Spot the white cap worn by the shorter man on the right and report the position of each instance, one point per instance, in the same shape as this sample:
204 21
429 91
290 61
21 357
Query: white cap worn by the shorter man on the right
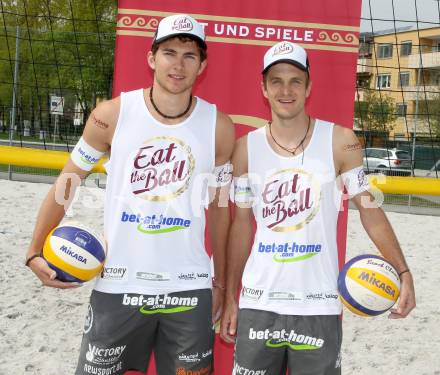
286 52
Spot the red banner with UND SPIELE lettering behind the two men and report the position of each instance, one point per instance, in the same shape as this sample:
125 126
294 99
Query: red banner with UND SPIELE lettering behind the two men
238 34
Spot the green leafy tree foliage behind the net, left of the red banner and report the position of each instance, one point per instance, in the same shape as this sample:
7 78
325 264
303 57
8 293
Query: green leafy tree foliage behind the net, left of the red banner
66 49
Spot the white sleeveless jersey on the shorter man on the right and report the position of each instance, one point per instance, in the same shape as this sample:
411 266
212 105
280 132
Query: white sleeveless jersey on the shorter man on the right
293 265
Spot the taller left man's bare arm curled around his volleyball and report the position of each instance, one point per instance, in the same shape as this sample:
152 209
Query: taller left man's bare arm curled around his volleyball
98 134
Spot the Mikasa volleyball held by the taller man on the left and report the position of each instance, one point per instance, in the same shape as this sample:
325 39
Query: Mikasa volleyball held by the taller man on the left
75 252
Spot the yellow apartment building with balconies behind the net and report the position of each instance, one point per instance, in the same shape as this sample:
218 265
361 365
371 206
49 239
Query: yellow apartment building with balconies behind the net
405 65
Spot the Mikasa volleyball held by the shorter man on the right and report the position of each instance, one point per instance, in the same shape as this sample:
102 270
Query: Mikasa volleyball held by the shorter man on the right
368 285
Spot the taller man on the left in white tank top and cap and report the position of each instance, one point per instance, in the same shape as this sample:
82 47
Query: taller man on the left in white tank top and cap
156 291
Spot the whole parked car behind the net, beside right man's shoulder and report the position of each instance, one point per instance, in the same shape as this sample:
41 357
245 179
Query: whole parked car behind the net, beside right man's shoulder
388 161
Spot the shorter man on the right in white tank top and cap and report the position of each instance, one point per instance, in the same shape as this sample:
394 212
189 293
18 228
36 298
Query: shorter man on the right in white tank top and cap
285 175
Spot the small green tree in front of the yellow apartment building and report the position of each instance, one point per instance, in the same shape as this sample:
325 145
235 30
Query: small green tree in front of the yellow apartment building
376 112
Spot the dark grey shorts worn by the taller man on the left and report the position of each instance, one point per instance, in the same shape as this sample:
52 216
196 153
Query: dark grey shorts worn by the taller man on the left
121 331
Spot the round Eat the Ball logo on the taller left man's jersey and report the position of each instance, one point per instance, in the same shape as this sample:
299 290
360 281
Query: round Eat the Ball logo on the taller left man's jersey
162 168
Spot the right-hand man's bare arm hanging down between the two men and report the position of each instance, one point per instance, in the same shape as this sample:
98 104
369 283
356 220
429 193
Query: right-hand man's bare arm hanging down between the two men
240 238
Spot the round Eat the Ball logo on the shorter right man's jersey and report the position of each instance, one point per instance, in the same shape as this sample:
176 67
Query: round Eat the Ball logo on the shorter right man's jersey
290 200
